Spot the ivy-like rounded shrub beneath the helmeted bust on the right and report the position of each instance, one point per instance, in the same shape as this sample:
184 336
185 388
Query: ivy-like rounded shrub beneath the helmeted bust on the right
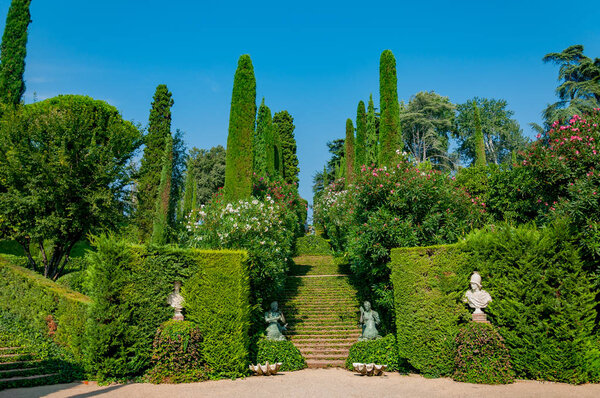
481 356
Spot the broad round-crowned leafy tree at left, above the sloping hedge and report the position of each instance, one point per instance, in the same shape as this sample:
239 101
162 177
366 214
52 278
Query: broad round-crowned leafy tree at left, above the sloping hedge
85 147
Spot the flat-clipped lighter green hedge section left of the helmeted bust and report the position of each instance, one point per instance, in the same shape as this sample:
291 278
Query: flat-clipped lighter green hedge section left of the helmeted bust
427 306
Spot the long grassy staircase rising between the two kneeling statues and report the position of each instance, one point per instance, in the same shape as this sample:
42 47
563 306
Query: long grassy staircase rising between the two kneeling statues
322 311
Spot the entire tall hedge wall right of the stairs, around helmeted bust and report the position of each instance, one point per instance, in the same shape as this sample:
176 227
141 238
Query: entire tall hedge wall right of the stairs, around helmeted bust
543 301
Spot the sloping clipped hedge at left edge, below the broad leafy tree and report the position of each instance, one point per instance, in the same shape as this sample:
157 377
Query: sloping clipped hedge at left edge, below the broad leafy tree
46 306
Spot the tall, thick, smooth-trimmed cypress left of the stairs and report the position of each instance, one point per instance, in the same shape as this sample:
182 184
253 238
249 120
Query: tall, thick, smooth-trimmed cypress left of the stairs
238 164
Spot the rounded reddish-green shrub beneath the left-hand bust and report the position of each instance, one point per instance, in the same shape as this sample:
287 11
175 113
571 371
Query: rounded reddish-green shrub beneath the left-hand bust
177 354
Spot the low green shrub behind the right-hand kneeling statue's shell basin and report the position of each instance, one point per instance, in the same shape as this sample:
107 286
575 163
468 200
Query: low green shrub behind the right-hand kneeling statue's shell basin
383 351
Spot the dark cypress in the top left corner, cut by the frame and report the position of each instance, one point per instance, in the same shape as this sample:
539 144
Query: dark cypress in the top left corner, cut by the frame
13 52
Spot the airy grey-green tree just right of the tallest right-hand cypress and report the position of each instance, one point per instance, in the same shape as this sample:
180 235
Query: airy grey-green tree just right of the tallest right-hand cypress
427 122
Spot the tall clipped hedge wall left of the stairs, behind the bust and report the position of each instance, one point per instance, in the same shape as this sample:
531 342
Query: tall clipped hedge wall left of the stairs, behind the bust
129 286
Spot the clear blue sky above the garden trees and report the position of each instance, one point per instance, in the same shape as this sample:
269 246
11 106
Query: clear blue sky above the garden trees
315 59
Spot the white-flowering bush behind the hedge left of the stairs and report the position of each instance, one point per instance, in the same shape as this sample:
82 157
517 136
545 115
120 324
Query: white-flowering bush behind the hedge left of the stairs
262 227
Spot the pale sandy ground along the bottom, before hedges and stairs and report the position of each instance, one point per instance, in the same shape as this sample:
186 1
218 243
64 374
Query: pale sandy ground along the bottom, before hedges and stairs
314 383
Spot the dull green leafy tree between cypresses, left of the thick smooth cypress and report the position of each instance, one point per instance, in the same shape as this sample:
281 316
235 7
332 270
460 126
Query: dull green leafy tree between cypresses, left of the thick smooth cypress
207 167
